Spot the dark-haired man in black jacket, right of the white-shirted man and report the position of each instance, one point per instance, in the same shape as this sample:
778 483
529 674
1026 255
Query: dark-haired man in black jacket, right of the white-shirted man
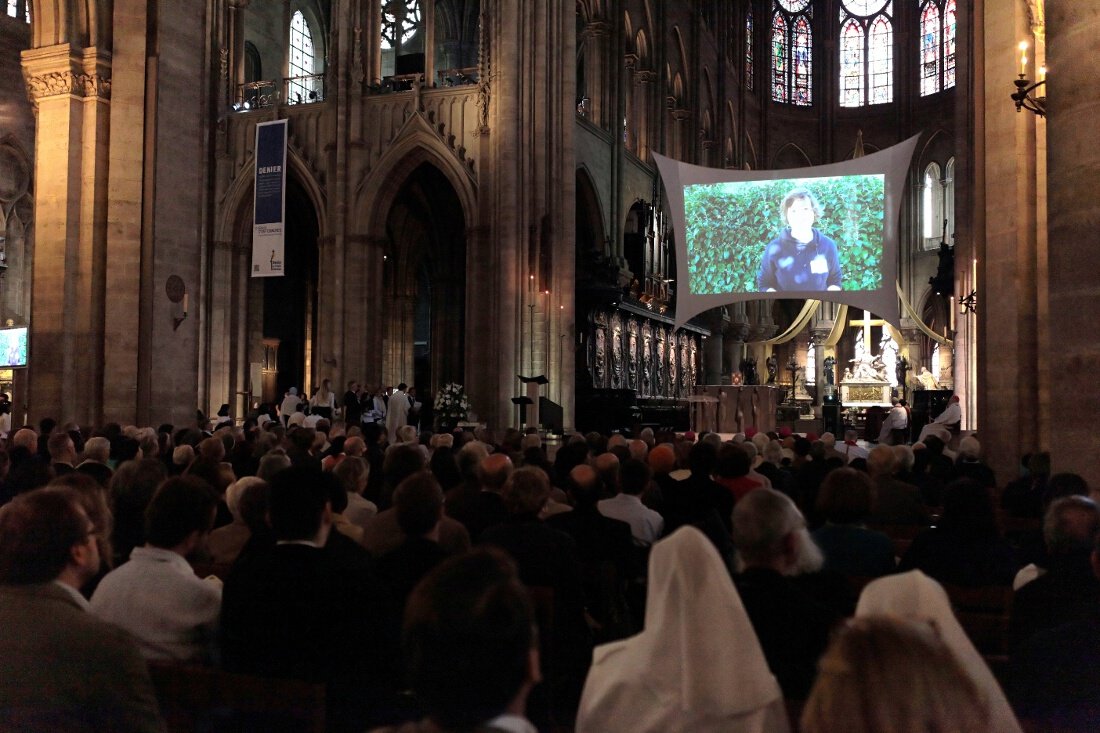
309 608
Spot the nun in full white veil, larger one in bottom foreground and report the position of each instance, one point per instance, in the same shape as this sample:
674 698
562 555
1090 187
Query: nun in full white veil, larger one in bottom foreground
697 666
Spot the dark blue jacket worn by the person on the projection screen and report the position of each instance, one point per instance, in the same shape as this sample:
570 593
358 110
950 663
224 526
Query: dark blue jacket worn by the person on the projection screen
787 268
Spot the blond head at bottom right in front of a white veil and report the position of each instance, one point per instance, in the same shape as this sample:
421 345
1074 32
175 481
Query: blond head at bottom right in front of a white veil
885 675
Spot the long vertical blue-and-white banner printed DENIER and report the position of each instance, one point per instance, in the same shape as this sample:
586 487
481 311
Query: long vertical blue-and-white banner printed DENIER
269 224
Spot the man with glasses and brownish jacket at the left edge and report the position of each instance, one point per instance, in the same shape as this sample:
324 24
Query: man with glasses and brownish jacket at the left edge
64 670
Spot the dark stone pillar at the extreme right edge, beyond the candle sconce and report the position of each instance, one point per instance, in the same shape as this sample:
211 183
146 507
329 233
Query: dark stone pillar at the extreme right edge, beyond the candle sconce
1073 160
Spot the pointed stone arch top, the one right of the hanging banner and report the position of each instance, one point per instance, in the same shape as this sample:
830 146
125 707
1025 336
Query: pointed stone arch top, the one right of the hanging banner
416 144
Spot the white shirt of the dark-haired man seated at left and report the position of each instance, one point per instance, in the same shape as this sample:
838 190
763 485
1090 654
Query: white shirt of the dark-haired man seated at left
157 597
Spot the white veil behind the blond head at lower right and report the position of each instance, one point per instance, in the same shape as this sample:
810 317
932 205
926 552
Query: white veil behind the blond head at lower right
917 597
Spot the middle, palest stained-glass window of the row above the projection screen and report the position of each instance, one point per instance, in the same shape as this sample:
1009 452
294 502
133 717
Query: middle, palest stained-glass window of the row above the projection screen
866 52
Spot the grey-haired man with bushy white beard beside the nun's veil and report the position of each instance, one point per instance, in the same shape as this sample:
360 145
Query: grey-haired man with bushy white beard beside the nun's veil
793 622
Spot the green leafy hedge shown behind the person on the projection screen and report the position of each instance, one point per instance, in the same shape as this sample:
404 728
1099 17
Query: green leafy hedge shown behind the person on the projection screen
730 226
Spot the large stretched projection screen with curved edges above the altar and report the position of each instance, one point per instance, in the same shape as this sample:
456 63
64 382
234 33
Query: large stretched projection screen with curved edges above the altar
828 233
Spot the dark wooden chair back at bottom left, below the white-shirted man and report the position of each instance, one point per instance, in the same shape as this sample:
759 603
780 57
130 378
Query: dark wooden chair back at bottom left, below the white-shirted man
215 702
